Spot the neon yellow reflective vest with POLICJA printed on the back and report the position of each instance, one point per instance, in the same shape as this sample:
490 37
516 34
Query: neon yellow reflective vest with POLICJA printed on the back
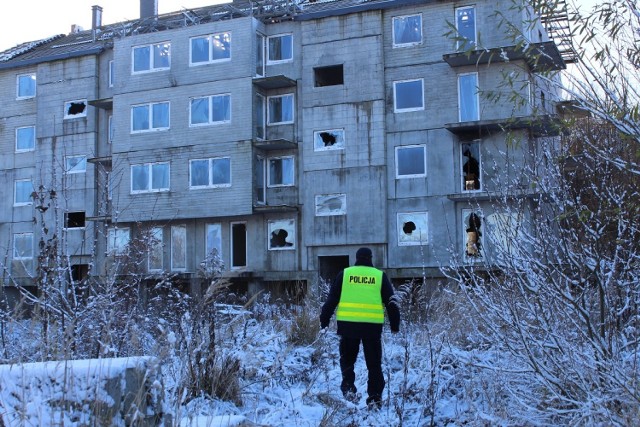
360 300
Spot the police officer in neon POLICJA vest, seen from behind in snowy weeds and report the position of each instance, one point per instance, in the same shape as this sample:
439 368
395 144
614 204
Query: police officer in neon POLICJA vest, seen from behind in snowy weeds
360 293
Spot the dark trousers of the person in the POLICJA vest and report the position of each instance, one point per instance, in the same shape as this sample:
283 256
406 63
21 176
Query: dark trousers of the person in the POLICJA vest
349 348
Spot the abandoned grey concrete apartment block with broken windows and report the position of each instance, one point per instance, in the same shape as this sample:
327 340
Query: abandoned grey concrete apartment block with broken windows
281 135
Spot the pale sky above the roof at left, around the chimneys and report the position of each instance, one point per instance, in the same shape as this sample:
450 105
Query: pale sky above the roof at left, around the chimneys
28 20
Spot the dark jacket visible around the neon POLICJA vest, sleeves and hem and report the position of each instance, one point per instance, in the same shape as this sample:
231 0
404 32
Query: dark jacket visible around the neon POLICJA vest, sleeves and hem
361 329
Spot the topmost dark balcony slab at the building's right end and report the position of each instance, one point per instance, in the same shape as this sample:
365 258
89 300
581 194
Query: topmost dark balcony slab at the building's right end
540 57
